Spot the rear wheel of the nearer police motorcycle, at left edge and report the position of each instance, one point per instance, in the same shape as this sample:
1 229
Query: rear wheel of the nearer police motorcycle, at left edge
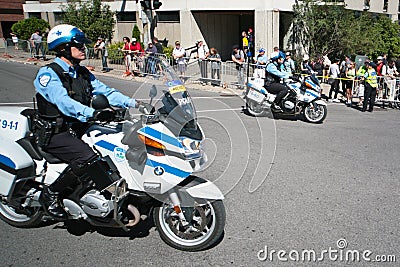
26 219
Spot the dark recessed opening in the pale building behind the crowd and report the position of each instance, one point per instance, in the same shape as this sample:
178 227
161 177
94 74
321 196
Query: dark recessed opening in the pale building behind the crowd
223 29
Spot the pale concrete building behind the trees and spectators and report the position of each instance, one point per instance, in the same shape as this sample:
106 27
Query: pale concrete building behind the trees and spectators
218 23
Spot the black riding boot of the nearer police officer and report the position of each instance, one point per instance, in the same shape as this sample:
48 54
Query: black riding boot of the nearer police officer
49 198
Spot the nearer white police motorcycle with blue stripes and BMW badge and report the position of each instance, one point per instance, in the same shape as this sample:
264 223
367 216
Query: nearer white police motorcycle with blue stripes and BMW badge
153 157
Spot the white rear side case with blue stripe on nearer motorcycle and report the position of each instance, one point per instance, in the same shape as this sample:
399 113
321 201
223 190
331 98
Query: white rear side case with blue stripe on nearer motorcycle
14 162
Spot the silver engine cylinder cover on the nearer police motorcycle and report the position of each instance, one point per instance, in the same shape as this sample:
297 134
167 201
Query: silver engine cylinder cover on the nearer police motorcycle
95 204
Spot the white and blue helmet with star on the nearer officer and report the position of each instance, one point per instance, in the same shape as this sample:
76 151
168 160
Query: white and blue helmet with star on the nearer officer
65 34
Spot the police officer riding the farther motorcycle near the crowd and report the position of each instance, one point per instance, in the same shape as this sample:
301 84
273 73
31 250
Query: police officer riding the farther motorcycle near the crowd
273 75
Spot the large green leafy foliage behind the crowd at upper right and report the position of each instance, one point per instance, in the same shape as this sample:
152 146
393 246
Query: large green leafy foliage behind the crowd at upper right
330 29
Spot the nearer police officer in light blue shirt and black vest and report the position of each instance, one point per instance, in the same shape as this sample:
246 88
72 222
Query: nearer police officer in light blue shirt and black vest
64 92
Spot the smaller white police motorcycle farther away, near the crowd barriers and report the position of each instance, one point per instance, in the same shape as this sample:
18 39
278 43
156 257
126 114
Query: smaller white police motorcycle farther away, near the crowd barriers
303 98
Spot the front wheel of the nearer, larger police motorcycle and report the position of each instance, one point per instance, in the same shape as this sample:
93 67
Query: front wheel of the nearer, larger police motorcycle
205 227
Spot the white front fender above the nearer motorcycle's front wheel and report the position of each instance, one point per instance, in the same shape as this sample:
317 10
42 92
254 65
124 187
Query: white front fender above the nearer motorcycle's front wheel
203 189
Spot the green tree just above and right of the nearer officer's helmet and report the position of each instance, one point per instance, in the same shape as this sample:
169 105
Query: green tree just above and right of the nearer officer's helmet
93 18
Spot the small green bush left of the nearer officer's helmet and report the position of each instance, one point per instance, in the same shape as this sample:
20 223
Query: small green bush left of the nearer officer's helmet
24 28
